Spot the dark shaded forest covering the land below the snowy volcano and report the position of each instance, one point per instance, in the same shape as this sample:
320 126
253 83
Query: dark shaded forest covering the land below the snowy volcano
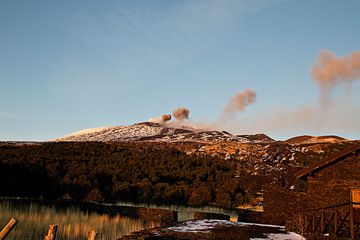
111 172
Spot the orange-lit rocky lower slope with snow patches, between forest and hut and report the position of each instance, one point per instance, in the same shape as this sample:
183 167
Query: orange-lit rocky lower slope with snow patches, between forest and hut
275 159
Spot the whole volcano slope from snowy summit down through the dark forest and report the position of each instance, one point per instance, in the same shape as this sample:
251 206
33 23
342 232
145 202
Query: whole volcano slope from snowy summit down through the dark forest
153 163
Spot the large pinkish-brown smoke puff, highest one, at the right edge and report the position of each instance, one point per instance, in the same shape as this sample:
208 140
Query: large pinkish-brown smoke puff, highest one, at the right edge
329 70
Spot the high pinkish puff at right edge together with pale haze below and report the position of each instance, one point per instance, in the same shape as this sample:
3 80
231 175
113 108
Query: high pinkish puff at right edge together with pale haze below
328 71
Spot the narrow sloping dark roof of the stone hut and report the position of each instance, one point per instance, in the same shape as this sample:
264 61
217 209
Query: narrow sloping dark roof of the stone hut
327 162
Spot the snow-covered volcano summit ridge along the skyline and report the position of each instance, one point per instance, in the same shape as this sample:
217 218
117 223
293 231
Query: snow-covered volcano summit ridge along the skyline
175 132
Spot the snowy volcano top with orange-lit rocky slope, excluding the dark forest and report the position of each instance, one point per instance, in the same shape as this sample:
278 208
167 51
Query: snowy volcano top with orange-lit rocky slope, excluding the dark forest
254 155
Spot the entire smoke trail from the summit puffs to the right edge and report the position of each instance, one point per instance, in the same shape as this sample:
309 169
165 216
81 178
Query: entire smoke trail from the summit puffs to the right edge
328 72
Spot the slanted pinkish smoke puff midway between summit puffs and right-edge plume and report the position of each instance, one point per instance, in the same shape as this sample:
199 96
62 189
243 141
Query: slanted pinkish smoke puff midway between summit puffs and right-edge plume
240 101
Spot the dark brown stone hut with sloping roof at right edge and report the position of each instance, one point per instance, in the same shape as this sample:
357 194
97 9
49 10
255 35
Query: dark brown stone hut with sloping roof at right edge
323 184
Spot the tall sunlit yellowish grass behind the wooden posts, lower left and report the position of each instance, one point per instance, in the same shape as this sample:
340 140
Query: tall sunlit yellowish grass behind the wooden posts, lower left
73 223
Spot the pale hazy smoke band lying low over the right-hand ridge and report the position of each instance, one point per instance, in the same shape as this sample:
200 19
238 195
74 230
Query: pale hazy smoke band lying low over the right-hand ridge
308 119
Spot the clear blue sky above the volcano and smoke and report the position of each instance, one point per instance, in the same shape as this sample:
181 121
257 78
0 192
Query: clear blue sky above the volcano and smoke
68 65
